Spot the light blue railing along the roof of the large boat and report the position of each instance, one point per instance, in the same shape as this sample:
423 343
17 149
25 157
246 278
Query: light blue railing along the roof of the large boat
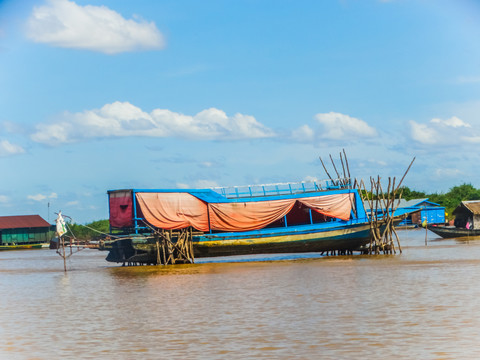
282 188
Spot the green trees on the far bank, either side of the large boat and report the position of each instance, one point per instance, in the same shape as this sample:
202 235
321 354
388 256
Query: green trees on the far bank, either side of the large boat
449 200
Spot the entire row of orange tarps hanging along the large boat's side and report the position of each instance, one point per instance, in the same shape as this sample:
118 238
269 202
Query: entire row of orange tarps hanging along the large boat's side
173 211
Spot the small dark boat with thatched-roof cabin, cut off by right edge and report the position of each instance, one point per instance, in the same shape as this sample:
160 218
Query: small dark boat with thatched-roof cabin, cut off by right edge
466 223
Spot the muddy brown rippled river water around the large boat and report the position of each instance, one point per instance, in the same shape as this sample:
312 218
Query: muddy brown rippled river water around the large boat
421 304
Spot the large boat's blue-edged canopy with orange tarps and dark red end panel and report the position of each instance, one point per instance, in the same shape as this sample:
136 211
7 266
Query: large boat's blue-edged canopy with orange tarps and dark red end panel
207 210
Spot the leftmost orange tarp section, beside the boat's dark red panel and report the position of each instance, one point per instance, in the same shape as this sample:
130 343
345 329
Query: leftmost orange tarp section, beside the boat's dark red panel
172 211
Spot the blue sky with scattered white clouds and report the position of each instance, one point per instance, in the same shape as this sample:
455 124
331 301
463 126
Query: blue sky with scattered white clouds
100 95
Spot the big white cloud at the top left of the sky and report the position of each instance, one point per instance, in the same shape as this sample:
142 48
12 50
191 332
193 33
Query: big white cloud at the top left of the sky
65 24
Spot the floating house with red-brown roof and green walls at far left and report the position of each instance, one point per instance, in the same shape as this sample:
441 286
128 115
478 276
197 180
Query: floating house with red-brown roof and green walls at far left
24 229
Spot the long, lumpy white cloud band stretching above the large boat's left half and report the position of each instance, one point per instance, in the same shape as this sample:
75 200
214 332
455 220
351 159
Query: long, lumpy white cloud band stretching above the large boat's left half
121 119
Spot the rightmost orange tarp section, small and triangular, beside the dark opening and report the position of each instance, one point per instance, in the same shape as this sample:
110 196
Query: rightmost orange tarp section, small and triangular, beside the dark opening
337 206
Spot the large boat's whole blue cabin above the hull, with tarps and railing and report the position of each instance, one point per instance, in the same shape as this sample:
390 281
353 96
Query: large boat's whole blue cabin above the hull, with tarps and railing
233 209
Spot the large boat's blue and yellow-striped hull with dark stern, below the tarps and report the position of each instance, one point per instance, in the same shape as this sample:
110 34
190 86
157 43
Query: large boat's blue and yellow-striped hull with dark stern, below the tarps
334 236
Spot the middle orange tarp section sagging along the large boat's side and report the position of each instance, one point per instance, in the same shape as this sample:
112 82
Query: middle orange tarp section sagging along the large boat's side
247 215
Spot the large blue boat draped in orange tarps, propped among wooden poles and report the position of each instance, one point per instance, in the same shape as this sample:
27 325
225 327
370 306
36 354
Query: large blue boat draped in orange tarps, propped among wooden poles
274 218
